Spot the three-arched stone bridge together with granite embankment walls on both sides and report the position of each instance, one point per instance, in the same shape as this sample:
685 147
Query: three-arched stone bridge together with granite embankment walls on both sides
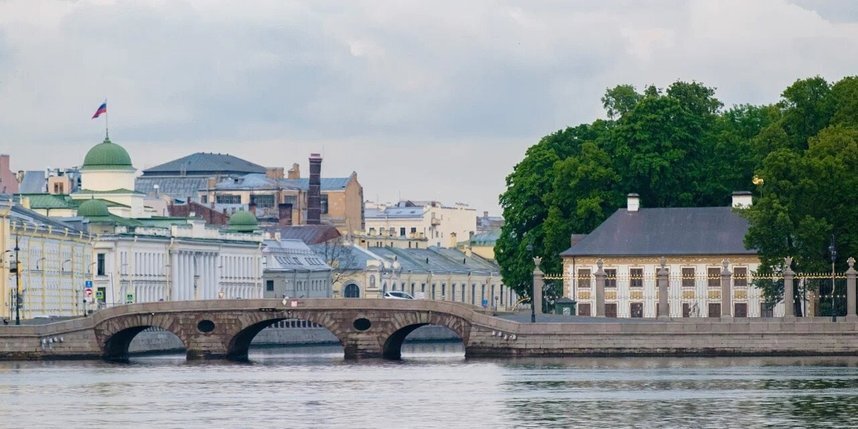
376 328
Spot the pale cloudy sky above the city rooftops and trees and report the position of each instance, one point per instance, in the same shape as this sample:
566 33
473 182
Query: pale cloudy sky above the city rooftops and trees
425 100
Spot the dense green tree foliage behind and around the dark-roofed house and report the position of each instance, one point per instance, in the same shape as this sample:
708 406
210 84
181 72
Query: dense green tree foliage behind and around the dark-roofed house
679 147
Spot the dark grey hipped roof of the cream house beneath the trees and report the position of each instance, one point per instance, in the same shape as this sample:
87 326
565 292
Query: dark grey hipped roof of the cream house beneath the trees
666 231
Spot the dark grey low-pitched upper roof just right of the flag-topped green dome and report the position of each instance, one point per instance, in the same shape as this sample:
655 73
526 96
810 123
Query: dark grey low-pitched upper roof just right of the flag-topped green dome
201 163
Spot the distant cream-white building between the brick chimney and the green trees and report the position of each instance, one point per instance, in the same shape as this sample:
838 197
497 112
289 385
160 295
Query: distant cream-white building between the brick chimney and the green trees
441 225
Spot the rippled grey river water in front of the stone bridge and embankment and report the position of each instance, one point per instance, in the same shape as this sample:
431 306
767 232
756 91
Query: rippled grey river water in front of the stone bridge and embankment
432 387
